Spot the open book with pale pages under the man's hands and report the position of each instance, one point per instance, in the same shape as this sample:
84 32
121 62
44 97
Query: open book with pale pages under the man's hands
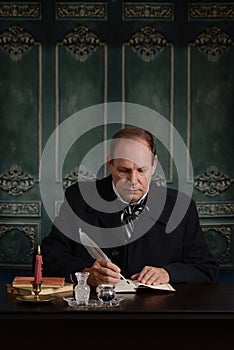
130 286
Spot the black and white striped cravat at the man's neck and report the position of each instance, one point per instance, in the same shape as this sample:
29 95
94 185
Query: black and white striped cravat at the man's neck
132 212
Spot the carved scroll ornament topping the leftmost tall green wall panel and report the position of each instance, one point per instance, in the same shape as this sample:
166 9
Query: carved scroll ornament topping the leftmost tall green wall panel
16 42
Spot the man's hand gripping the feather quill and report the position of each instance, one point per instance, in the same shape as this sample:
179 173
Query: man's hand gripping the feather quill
103 272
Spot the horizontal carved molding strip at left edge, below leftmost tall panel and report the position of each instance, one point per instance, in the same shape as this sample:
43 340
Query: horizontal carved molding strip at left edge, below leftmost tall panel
20 209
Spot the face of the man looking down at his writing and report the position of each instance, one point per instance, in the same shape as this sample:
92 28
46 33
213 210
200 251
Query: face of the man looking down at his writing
132 168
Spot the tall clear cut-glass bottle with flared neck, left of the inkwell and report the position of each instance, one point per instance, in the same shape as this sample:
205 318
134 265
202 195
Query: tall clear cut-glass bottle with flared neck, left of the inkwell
82 289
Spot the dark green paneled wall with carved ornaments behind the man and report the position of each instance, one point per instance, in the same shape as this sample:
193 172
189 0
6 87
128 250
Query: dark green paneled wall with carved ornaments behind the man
162 56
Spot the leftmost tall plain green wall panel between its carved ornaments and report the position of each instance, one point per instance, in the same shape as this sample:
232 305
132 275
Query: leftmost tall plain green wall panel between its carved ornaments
19 92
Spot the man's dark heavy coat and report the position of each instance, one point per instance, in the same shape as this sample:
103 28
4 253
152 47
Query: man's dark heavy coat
183 252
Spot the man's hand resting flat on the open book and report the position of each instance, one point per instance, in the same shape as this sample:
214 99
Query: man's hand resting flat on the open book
152 275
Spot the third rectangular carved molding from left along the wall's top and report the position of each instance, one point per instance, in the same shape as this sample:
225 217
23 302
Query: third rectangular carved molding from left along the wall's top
162 11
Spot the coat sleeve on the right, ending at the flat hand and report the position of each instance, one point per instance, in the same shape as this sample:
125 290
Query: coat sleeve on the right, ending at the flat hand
197 265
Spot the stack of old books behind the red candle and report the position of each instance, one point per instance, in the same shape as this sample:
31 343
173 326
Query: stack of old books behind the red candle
22 285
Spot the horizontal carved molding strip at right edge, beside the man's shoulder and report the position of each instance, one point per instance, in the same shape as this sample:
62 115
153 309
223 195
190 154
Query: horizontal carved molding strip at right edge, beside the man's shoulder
215 209
